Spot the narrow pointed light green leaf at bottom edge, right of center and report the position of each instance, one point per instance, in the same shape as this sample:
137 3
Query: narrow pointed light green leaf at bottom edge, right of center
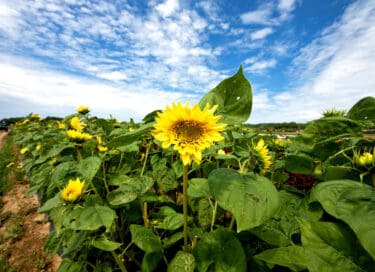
294 257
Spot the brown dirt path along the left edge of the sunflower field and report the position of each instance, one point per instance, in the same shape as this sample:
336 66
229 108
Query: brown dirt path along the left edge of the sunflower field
23 231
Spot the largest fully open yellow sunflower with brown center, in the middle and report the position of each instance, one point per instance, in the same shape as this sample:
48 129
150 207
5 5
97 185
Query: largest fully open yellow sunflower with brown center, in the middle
189 129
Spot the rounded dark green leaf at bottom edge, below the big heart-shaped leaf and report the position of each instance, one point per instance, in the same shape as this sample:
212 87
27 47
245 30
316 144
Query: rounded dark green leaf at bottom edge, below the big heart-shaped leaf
220 251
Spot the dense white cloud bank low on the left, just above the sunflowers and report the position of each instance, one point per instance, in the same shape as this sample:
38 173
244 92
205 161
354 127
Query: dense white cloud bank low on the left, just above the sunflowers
52 89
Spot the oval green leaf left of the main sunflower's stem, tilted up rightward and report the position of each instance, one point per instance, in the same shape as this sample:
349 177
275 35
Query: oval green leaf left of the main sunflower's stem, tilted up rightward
129 190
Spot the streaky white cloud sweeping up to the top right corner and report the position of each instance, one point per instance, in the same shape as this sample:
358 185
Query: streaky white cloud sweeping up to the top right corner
334 70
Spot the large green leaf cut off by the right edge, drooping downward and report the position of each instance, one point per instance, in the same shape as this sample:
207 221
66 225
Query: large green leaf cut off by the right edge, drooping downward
353 203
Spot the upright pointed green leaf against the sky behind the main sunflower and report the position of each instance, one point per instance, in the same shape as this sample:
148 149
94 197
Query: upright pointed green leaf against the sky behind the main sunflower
234 98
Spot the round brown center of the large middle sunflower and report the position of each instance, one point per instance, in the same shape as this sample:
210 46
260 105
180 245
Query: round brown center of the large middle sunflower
188 130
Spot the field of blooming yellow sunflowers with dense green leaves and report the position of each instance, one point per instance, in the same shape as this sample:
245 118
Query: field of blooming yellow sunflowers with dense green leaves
193 188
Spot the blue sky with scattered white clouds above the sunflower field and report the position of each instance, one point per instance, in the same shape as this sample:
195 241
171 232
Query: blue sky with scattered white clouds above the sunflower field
127 58
